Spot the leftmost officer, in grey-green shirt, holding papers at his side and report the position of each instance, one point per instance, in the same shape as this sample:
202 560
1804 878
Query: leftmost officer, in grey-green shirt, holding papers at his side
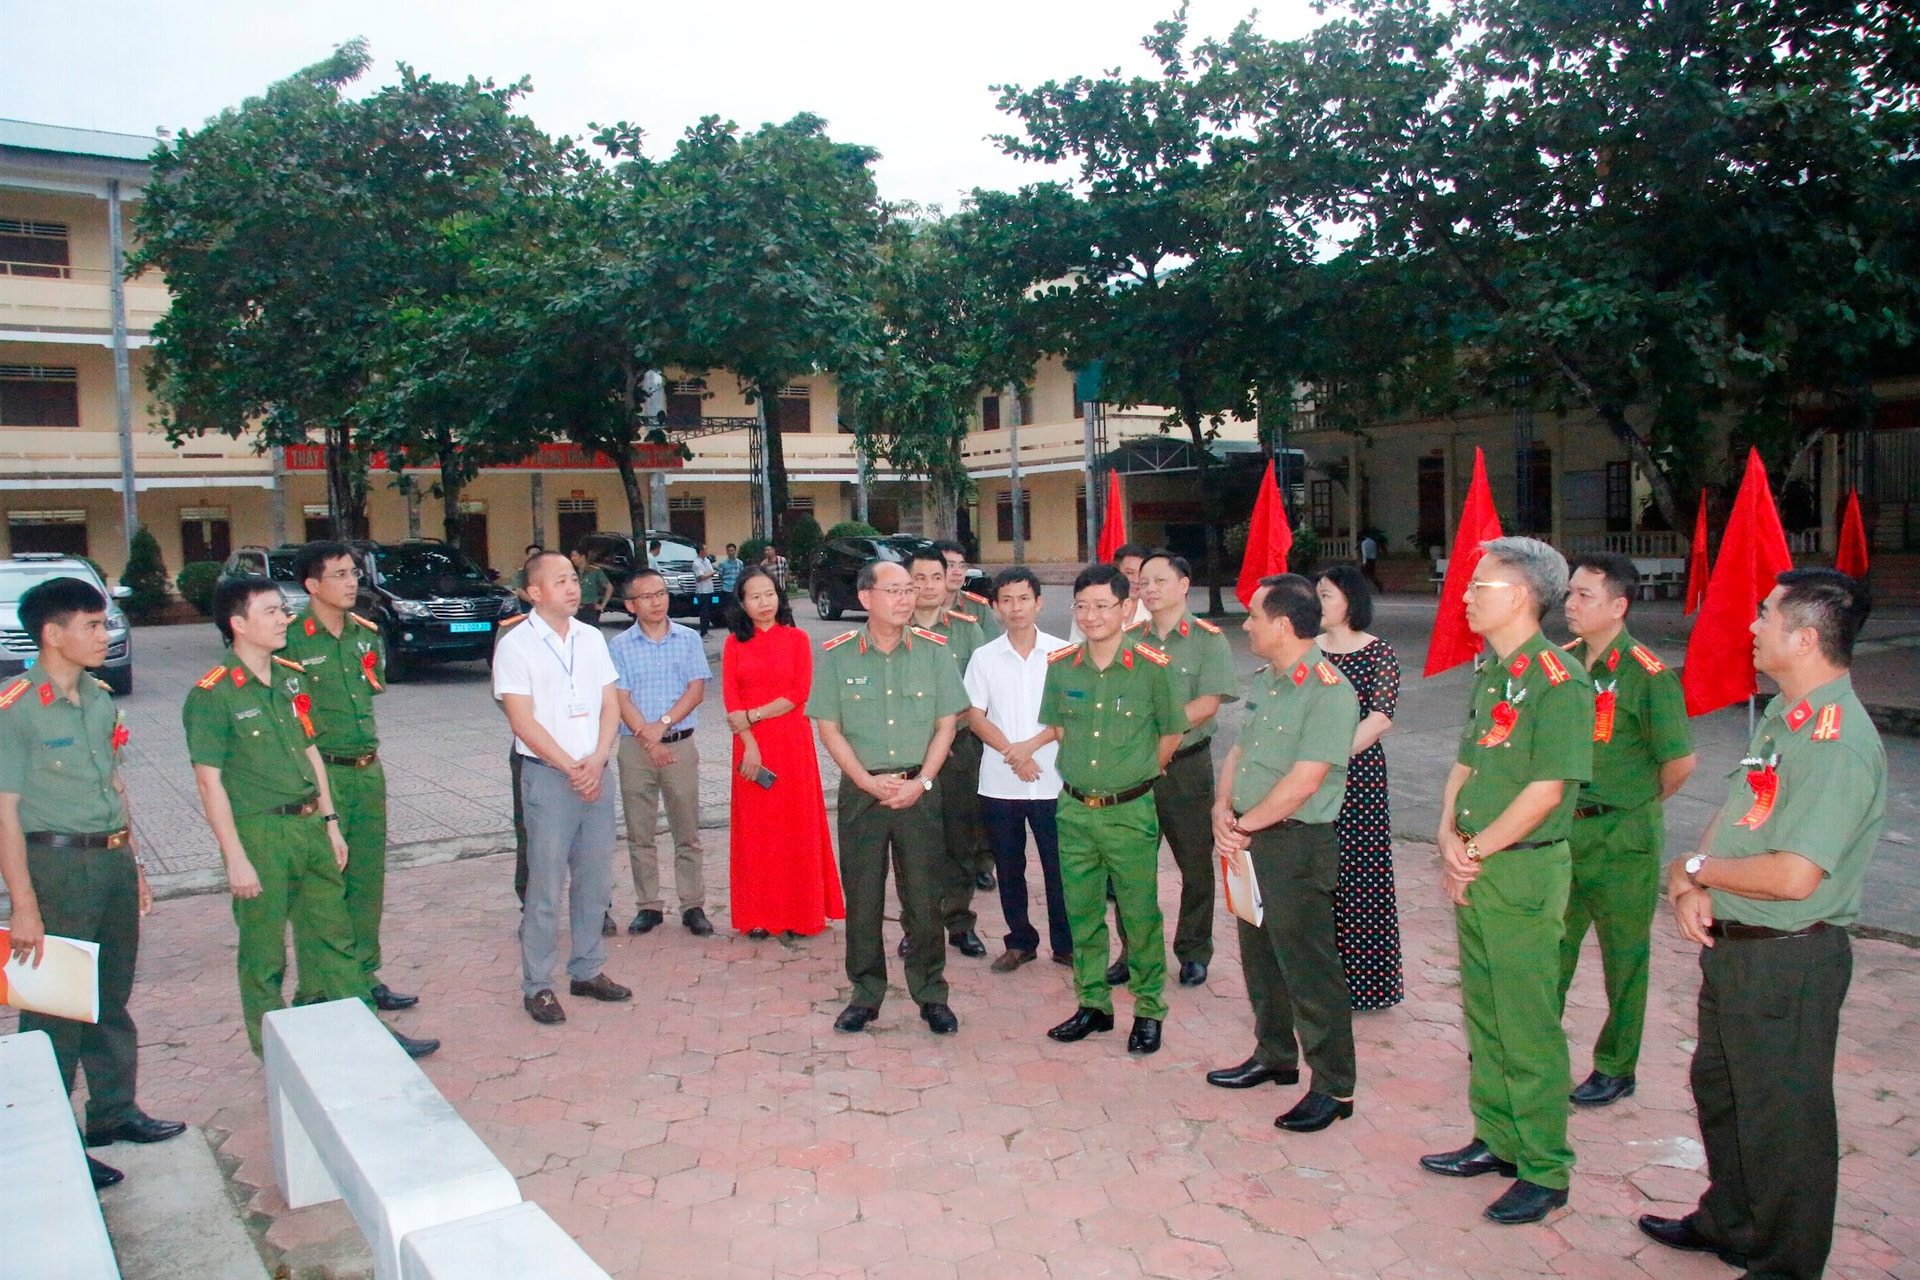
68 853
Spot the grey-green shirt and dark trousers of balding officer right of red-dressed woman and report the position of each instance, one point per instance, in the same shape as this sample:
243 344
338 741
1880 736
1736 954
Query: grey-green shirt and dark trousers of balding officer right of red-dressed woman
886 707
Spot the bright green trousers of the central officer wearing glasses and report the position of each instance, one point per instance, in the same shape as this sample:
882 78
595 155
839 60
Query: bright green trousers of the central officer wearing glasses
1122 845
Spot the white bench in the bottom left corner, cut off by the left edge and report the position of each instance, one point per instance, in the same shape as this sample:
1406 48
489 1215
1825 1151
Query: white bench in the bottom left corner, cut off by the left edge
49 1210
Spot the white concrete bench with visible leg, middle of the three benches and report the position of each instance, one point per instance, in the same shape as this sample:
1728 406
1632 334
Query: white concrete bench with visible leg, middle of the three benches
356 1120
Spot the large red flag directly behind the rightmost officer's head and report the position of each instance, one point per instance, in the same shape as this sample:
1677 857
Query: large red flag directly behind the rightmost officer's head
1754 554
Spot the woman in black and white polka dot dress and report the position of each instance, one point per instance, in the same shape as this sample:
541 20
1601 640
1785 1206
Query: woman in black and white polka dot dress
1366 909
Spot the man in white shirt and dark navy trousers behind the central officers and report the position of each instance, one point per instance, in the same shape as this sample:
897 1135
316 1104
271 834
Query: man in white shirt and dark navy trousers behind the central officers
1019 786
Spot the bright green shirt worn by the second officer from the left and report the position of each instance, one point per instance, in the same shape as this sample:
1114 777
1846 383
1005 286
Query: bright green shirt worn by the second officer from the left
252 734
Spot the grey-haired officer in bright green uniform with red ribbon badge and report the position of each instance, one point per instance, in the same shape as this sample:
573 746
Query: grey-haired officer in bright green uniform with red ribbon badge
1506 818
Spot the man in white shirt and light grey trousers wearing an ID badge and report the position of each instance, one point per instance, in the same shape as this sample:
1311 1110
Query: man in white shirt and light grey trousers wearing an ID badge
558 684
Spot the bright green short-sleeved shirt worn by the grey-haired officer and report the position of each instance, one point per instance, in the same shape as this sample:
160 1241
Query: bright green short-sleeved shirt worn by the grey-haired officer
1547 701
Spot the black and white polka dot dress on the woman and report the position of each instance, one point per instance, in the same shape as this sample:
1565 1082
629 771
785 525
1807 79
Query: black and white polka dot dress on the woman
1366 909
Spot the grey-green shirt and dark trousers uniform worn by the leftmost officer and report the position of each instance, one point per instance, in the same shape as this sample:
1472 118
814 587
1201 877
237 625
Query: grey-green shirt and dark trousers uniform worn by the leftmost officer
59 755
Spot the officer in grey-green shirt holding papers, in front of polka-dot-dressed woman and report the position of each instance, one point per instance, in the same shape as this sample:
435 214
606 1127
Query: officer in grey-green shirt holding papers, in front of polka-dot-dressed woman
1282 794
